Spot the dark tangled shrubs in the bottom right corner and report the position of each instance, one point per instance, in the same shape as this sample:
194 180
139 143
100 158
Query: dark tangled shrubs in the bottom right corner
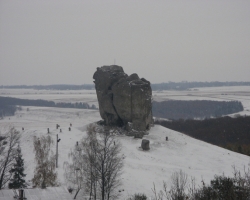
220 188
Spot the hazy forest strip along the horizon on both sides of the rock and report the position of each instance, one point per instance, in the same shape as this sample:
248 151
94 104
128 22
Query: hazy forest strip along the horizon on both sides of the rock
157 86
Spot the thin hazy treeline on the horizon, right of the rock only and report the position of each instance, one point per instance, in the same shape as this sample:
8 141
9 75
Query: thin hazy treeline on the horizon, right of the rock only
187 85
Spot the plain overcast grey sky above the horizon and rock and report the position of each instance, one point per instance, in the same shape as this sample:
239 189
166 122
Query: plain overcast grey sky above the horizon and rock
63 41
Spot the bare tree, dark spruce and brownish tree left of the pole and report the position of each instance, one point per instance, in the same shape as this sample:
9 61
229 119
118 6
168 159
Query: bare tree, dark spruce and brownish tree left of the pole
11 162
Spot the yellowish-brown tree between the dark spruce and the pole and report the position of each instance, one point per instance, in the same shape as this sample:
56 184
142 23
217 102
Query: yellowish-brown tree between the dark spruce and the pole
44 174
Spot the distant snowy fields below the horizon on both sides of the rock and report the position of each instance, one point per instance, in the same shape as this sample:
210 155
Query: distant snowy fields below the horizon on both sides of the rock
234 93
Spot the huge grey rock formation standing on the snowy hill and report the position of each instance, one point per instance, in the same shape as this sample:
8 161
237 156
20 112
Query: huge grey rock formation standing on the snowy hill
123 100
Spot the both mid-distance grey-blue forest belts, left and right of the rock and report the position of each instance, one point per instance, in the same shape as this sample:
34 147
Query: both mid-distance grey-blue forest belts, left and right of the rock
174 109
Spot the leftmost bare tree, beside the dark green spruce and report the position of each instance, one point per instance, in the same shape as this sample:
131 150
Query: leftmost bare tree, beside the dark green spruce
8 147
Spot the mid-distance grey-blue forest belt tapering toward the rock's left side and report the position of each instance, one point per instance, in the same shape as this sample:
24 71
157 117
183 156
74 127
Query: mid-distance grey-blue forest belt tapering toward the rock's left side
9 105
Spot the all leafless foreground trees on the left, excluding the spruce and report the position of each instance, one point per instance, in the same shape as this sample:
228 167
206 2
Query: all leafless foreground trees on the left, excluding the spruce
95 167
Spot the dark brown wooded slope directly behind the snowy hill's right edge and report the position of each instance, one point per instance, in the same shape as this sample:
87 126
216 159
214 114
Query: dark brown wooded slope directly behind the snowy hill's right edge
227 132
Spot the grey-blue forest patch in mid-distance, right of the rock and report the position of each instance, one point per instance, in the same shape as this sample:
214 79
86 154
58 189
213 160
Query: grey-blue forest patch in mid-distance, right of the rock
177 109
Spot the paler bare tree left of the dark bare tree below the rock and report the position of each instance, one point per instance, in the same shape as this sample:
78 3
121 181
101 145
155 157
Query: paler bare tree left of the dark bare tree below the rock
80 171
